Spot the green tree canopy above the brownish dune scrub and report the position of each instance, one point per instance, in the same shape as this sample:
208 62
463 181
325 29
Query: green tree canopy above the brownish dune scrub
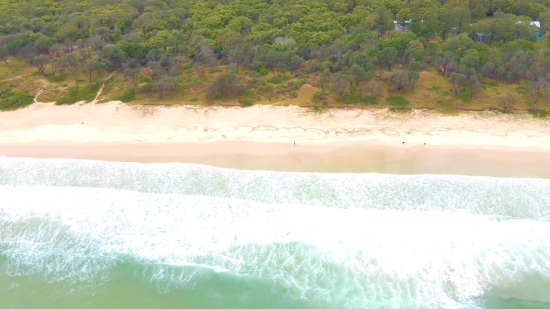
343 43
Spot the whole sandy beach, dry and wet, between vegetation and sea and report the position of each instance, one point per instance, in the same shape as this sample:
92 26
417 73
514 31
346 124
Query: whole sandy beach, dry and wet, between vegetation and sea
263 137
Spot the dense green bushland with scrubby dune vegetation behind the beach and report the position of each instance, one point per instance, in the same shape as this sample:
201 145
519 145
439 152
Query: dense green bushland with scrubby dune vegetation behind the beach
455 54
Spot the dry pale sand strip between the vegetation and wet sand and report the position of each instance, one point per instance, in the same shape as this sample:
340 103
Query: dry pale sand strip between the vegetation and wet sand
115 122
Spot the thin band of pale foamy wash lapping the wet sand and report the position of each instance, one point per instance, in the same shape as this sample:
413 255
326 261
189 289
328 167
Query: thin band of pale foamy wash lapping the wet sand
519 198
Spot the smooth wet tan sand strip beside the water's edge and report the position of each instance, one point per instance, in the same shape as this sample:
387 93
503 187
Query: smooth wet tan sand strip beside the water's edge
333 157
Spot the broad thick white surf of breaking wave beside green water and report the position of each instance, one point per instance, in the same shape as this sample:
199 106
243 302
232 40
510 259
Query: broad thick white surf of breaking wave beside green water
409 256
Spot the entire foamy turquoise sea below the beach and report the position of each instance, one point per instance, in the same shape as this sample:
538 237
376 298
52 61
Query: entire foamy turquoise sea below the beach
92 234
